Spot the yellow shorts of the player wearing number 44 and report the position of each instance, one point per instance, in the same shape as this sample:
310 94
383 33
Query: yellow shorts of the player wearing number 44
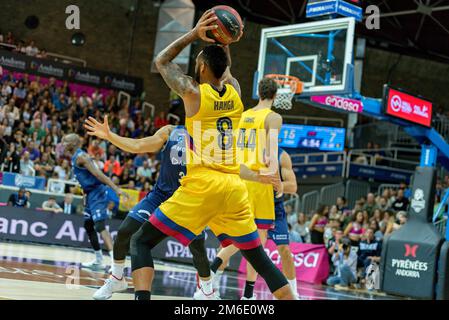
261 201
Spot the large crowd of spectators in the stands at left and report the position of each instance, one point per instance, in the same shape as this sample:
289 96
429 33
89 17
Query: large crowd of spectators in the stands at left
36 113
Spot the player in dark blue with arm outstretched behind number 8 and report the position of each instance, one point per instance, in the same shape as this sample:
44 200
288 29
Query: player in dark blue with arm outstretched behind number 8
170 141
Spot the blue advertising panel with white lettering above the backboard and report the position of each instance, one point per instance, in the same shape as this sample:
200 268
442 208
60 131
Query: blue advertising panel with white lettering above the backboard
348 8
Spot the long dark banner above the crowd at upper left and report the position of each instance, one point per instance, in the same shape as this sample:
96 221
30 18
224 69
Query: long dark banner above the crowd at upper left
74 74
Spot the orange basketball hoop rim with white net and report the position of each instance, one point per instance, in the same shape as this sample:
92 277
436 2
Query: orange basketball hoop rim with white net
288 86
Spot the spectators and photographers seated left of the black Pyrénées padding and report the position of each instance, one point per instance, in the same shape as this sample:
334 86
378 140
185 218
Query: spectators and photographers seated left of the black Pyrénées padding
352 236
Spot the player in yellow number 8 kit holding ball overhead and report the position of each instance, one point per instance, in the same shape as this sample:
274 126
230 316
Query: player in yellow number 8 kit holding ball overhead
212 193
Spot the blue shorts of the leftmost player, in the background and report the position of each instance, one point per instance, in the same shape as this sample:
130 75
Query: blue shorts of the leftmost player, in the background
97 202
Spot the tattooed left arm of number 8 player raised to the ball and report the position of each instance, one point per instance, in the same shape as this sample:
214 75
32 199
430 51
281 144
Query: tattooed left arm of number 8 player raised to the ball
179 82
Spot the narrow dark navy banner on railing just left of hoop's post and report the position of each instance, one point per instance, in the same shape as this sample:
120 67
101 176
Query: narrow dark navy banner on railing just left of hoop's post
379 174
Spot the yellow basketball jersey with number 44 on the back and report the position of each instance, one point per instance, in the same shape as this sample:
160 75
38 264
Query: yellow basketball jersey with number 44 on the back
252 138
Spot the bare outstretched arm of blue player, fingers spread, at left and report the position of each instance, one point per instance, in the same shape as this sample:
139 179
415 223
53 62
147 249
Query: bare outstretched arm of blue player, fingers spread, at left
146 145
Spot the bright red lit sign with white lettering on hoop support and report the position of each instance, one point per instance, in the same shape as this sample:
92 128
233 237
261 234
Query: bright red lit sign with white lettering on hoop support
404 106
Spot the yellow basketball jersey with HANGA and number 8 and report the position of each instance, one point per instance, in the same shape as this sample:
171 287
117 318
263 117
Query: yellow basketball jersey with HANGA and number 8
212 139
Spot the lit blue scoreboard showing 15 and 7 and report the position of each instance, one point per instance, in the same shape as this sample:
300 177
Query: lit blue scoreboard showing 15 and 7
312 137
